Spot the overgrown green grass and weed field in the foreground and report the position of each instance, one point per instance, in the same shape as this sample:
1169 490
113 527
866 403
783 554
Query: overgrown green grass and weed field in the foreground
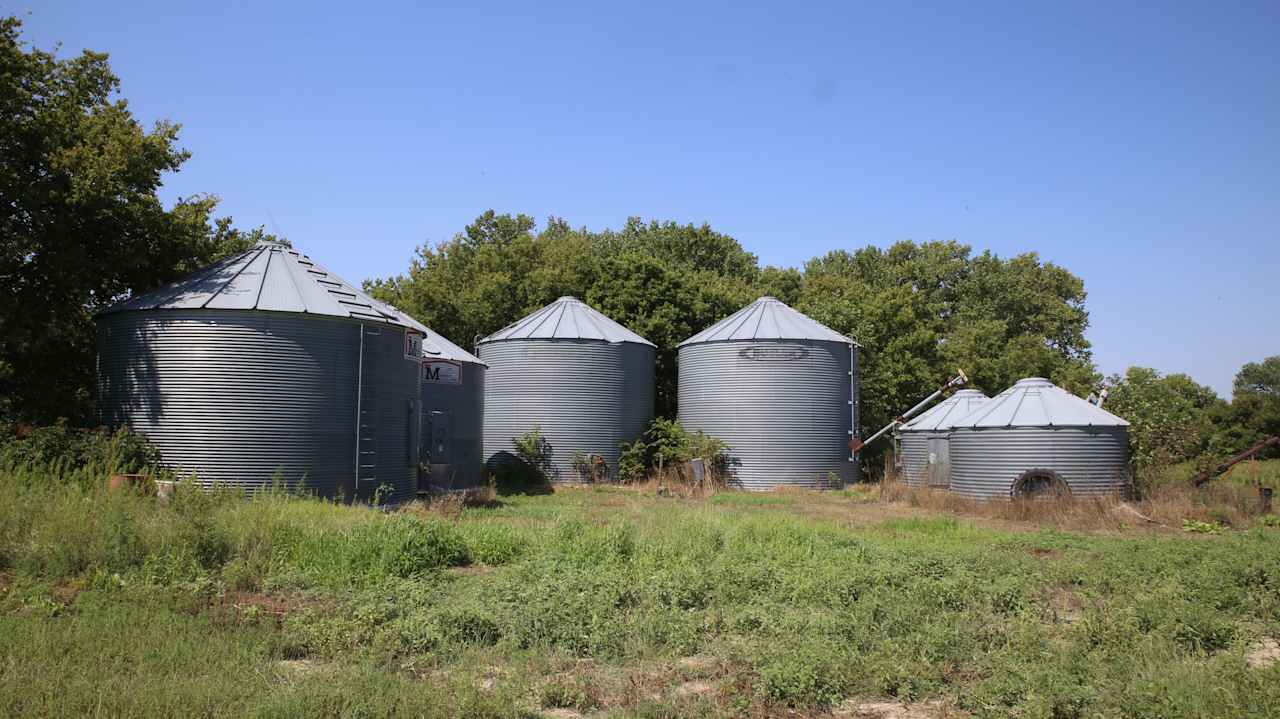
619 603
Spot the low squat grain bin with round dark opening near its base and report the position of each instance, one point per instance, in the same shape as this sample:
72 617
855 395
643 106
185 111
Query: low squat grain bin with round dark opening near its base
1036 438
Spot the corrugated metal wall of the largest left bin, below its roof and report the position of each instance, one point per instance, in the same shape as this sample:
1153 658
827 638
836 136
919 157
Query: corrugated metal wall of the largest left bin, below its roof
240 397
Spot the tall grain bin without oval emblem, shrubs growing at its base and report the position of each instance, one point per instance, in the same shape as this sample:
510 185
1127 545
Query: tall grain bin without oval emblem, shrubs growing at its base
584 381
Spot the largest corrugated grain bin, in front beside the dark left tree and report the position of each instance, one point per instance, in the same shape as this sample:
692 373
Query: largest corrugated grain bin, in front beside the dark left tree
267 368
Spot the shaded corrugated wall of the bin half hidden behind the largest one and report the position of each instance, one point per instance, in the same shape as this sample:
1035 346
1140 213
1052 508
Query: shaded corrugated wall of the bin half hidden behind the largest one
454 414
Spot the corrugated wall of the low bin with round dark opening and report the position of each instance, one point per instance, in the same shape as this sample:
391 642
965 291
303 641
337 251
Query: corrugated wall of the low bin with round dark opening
986 462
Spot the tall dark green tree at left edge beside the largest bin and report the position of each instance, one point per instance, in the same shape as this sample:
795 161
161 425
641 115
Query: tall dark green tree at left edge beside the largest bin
81 226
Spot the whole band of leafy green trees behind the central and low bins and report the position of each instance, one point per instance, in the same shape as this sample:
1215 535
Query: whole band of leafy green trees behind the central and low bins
920 310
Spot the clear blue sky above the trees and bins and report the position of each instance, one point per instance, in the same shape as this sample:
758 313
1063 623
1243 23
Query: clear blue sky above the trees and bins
1136 145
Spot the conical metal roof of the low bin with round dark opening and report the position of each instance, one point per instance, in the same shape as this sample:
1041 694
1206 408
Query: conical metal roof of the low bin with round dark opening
1037 402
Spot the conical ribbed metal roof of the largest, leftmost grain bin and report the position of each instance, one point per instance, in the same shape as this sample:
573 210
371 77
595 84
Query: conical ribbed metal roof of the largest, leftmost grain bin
269 277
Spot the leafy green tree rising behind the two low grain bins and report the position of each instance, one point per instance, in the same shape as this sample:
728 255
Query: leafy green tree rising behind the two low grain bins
921 312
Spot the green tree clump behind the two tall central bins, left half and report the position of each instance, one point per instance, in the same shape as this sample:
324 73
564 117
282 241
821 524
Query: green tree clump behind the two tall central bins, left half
661 281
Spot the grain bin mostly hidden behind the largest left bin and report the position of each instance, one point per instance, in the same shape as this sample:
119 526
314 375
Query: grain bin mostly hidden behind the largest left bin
452 439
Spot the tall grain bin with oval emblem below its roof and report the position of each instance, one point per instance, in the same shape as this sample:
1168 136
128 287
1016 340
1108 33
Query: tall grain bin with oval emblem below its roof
780 390
